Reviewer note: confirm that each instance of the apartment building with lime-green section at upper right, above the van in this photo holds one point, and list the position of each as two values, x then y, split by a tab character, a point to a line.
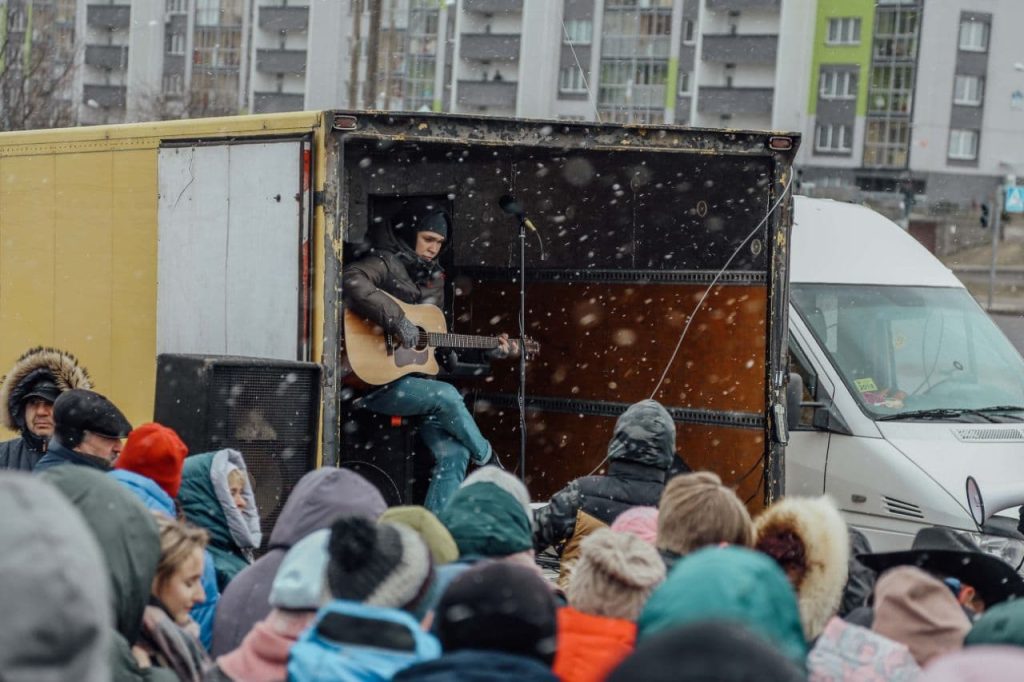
919	100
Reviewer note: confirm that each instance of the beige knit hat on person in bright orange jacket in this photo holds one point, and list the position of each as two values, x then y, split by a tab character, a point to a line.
615	576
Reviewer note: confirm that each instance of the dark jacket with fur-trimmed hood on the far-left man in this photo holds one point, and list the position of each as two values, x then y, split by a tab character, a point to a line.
51	366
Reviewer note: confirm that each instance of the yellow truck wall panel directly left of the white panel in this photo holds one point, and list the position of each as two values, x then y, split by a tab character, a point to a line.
134	313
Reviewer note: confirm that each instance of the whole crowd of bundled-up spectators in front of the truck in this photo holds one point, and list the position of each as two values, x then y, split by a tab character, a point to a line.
129	559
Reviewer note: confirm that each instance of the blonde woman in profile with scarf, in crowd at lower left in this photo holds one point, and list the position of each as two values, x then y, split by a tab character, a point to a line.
169	637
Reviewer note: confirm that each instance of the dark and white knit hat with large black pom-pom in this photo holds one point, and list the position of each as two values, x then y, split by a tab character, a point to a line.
379	565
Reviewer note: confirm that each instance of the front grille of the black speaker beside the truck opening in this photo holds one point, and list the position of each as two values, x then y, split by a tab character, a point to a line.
265	413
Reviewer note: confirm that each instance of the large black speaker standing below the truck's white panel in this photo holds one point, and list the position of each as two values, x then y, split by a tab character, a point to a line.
266	409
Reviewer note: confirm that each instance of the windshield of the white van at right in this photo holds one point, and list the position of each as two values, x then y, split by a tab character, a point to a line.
915	352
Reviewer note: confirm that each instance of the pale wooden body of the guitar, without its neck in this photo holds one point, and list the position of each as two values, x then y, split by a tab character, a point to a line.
368	353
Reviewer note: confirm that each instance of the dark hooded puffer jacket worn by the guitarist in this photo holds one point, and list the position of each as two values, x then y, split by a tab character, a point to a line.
394	268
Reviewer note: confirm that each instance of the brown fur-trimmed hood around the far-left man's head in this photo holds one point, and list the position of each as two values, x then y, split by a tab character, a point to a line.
52	364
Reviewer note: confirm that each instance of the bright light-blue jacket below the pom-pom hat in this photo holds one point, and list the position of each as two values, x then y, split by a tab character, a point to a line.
353	643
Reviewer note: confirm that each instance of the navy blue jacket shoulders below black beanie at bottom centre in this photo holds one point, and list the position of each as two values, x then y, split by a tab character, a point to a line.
478	666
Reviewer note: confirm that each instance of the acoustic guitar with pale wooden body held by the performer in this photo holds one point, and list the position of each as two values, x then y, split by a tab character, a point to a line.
378	359
